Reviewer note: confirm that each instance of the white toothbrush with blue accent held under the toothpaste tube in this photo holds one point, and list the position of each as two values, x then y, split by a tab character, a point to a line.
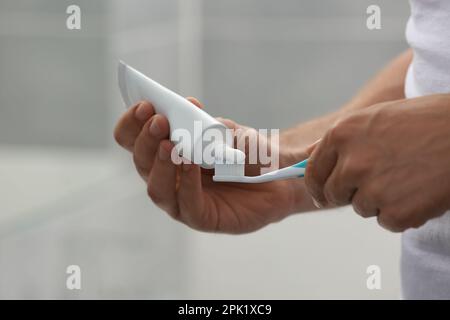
295	171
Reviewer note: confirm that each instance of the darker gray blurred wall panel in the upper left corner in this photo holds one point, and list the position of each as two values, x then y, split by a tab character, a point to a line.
52	89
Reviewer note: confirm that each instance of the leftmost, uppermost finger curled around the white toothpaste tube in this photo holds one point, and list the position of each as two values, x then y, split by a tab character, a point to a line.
130	124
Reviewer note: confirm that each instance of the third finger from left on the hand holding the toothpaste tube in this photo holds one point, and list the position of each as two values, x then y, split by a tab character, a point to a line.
161	186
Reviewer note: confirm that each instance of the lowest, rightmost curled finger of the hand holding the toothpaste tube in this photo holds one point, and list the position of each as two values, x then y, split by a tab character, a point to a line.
190	198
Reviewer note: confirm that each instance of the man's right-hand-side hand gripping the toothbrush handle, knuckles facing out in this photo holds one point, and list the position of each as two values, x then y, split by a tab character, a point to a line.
391	160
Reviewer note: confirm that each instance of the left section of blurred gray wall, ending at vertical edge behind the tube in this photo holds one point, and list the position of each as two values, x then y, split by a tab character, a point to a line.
67	196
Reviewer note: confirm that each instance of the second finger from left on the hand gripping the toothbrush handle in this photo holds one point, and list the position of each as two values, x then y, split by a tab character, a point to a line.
339	190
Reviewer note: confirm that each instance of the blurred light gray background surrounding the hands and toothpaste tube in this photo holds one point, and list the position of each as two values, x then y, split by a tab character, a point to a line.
69	195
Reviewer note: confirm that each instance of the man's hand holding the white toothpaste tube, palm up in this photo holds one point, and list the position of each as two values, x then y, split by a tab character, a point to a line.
188	194
